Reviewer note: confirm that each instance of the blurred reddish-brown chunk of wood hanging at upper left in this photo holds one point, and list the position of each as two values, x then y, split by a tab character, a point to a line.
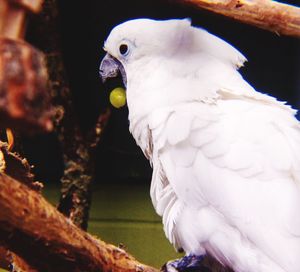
24	98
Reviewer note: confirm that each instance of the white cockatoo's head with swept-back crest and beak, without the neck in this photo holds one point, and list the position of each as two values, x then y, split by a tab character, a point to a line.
143	39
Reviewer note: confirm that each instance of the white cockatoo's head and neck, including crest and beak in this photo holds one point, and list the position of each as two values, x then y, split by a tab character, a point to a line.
163	63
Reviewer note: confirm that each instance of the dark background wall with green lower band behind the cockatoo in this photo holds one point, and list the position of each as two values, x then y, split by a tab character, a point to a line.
121	208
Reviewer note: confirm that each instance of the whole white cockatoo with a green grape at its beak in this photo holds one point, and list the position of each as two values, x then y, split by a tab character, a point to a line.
225	158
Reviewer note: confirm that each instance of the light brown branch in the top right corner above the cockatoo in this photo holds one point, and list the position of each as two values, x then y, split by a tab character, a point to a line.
279	18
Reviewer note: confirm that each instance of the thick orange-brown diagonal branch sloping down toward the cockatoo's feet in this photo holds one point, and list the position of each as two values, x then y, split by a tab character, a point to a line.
47	241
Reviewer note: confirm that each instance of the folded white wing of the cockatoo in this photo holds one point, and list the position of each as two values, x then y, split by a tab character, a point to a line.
239	156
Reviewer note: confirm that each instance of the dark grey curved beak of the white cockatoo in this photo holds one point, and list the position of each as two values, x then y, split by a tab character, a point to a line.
110	67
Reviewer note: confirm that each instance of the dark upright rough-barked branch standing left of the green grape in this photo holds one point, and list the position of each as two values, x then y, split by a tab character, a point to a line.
78	173
